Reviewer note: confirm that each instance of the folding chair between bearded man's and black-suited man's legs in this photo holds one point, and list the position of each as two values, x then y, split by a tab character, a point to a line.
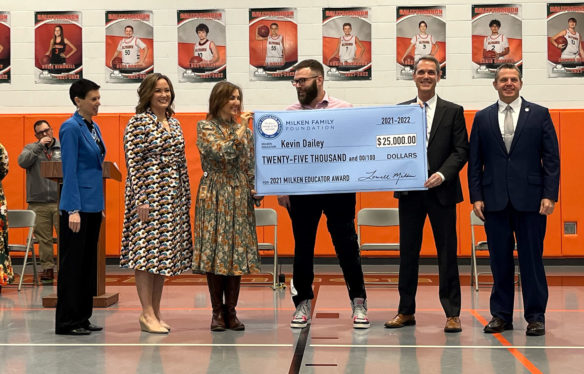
377	217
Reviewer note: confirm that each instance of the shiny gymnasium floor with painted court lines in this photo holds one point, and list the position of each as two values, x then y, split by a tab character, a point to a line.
268	345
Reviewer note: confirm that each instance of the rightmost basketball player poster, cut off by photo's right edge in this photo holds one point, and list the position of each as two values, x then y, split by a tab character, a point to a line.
565	44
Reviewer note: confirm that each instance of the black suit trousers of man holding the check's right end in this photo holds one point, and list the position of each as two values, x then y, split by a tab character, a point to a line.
413	209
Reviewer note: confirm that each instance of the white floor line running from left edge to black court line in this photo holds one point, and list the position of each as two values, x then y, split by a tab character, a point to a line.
142	345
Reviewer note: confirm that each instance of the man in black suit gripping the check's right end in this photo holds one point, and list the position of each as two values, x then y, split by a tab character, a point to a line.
447	146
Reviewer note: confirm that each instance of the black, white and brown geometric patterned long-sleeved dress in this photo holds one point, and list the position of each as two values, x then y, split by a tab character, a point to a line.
157	175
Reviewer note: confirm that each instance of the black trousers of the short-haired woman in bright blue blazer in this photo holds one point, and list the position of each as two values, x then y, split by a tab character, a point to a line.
77	281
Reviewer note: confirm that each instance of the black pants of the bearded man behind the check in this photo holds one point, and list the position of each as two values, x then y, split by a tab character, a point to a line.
339	209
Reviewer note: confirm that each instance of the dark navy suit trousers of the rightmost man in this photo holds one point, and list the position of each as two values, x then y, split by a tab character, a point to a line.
529	229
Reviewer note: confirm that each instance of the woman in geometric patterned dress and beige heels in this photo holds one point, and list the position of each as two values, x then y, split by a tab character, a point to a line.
156	238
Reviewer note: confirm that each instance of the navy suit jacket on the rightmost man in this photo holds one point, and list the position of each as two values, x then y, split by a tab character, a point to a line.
529	172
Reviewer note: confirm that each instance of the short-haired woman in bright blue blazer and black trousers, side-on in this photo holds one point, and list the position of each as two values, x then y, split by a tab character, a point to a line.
81	207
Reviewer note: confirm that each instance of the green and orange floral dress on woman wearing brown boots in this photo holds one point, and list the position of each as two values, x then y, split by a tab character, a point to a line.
225	231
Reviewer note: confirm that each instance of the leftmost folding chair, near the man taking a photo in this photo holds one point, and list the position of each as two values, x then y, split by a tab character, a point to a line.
23	219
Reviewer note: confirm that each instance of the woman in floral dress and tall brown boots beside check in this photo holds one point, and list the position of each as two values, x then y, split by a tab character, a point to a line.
225	233
